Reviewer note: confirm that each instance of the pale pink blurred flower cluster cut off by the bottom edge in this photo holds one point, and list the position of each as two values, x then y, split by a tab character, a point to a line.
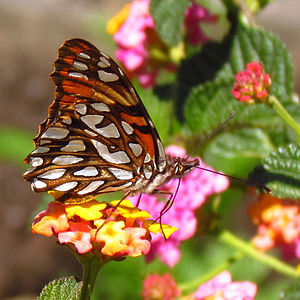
222	287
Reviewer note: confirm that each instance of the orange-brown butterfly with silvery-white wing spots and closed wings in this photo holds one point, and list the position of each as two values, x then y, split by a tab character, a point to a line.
97	137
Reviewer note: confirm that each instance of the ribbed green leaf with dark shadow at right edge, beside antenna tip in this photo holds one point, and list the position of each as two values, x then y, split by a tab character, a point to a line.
280	171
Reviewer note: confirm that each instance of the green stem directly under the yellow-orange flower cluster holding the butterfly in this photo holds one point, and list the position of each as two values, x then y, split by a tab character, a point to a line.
90	271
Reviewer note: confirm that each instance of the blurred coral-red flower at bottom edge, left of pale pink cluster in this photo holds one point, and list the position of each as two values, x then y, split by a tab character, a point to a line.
160	287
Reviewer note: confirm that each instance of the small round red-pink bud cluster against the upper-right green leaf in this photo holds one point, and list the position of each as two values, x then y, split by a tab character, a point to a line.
252	85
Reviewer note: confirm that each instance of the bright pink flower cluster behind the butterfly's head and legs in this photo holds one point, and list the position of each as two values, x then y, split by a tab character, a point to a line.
194	188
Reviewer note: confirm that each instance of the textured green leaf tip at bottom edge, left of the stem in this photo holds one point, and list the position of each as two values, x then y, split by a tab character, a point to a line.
62	289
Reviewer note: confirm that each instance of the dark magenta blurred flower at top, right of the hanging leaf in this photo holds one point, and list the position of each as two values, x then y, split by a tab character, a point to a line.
194	15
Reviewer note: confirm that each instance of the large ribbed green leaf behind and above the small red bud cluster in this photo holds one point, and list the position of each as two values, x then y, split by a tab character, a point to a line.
257	44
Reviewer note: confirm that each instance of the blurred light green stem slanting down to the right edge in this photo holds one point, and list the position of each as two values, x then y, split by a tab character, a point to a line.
268	260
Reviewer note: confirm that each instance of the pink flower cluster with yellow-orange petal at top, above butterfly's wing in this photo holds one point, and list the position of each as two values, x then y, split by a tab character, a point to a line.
133	35
